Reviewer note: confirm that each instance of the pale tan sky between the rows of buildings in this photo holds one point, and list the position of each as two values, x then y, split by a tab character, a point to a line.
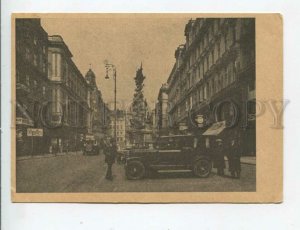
125	42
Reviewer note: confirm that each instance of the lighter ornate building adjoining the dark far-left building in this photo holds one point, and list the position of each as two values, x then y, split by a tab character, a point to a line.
70	98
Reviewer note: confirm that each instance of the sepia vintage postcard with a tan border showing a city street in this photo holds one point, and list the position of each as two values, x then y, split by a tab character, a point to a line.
147	108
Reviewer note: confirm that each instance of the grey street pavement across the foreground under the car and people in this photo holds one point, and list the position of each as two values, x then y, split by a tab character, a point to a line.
74	172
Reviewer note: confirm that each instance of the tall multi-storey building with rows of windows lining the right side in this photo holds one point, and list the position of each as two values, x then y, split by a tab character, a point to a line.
214	78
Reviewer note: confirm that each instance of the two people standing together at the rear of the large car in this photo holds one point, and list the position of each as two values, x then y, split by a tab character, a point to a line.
232	152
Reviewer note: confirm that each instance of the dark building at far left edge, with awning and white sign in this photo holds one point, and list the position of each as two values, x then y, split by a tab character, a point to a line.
31	85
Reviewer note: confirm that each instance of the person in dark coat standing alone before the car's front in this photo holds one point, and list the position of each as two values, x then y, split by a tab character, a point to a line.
109	150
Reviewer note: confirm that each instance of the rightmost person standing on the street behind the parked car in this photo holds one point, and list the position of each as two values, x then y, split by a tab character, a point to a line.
234	159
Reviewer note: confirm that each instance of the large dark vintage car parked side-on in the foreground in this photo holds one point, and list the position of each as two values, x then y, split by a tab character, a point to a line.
176	152
